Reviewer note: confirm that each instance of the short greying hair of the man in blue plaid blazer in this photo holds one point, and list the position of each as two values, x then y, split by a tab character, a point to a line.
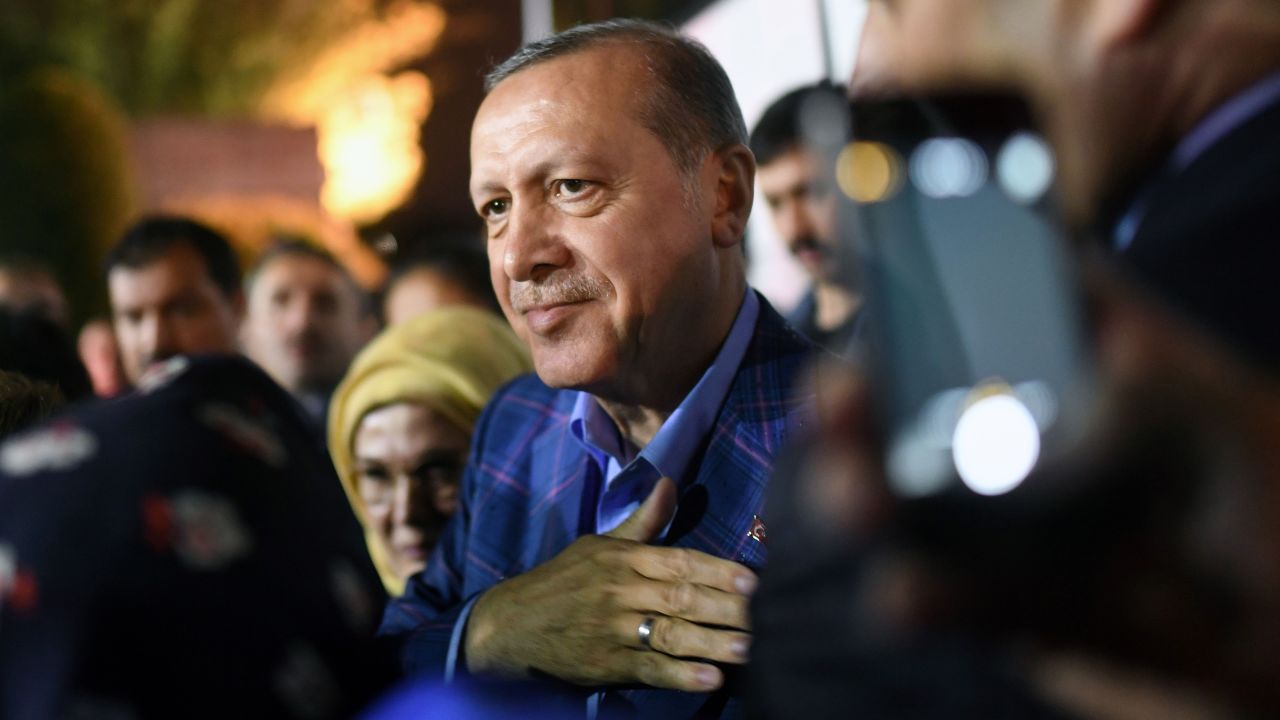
692	110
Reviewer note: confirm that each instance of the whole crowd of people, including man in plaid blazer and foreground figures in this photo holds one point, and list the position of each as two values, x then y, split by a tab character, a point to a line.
592	472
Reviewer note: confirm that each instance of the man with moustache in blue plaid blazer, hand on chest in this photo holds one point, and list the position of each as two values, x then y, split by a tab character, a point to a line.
611	516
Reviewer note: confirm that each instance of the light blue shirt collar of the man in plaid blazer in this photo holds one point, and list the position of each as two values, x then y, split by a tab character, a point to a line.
671	452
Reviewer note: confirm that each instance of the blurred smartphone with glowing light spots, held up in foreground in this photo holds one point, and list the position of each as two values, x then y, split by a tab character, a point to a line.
981	364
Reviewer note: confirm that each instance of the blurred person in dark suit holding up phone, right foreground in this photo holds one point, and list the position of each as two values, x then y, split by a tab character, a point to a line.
1154	589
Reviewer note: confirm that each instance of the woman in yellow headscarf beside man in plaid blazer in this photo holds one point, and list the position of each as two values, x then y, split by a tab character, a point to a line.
400	427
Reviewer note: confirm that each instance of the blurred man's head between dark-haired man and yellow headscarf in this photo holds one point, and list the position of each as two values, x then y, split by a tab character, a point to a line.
307	321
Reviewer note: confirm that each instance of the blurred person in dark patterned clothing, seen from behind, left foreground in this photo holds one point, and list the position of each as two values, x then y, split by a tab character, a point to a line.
184	553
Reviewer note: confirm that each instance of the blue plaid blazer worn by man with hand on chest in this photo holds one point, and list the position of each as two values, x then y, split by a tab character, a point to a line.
523	500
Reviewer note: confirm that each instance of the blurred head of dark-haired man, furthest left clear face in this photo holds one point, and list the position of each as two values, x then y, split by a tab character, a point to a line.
176	289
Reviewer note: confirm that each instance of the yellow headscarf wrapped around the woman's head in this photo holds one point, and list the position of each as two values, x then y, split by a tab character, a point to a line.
450	359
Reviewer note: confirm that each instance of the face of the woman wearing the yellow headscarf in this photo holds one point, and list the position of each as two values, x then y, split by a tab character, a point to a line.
409	464
